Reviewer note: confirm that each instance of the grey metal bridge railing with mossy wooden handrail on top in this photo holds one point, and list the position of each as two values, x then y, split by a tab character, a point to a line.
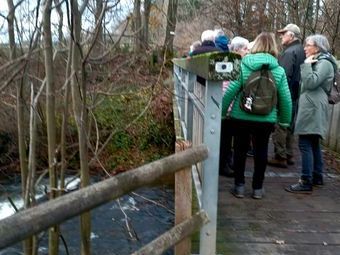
198	95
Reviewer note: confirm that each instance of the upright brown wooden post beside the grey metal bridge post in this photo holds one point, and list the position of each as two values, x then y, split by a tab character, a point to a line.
183	199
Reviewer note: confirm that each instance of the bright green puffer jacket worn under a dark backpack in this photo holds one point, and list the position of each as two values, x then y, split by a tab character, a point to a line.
249	64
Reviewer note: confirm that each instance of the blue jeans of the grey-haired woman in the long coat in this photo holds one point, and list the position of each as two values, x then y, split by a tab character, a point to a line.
311	155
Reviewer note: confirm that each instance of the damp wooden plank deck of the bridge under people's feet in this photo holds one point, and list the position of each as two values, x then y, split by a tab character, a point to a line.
282	222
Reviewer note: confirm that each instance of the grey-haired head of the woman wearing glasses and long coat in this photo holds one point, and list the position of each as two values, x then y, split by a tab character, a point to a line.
315	44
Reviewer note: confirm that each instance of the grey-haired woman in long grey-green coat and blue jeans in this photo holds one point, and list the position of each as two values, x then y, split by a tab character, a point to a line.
317	75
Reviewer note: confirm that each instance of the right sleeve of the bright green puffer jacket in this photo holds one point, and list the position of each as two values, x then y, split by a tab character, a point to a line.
284	103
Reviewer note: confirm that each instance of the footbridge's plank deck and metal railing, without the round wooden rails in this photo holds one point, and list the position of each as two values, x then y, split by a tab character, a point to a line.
280	223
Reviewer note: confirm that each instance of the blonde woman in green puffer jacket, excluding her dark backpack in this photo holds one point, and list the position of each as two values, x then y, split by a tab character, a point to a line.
264	52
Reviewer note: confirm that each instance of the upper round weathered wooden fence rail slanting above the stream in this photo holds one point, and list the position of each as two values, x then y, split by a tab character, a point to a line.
34	220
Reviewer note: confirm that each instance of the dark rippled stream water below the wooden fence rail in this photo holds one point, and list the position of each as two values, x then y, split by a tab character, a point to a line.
119	227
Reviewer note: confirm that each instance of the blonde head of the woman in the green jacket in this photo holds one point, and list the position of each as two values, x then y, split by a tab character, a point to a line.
265	43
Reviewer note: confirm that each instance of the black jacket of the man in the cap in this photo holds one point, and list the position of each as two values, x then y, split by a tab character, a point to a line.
290	59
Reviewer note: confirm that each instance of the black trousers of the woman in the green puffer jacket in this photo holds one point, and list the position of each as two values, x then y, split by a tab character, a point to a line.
259	132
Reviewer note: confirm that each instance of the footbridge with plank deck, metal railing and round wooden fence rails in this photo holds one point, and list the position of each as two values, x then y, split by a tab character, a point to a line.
280	223
